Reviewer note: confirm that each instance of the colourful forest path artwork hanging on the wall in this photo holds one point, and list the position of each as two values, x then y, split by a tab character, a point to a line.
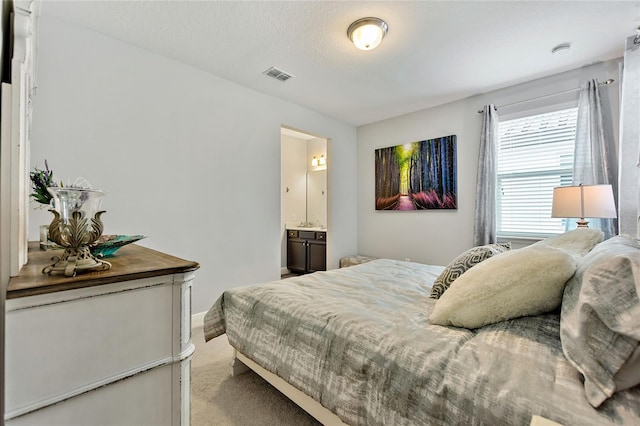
417	175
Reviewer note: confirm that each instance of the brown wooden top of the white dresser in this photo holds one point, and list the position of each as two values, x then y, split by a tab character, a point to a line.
131	262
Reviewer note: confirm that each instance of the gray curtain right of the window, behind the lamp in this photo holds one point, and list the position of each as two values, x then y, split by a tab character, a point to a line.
595	159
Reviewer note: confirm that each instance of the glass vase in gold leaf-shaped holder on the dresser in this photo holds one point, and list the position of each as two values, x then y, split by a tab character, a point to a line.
71	229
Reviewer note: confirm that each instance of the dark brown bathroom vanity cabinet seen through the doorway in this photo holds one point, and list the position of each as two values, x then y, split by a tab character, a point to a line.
306	251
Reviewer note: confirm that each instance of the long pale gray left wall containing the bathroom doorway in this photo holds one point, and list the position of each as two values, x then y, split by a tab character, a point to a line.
188	159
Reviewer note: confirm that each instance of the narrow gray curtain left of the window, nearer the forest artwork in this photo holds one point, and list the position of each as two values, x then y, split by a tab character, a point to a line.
484	226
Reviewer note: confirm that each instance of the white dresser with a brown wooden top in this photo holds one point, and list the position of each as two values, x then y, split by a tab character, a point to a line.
102	348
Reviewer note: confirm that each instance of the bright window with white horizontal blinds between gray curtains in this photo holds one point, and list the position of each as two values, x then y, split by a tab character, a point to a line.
535	154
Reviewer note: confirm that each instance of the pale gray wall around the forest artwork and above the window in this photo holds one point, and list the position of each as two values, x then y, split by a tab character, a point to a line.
436	237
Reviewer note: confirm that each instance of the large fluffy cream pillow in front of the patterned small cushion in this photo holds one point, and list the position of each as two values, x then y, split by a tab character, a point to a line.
527	281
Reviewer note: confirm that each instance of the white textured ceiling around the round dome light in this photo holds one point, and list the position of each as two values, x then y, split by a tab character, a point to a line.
435	51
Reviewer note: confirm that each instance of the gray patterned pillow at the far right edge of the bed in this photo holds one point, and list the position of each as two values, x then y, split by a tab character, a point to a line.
600	317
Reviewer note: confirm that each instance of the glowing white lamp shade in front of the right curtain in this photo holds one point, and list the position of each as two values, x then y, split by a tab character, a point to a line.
594	201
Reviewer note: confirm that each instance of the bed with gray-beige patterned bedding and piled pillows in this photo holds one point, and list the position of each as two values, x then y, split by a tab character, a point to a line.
359	346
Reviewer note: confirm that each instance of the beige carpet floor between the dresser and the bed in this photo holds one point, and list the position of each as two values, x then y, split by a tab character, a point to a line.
219	399
